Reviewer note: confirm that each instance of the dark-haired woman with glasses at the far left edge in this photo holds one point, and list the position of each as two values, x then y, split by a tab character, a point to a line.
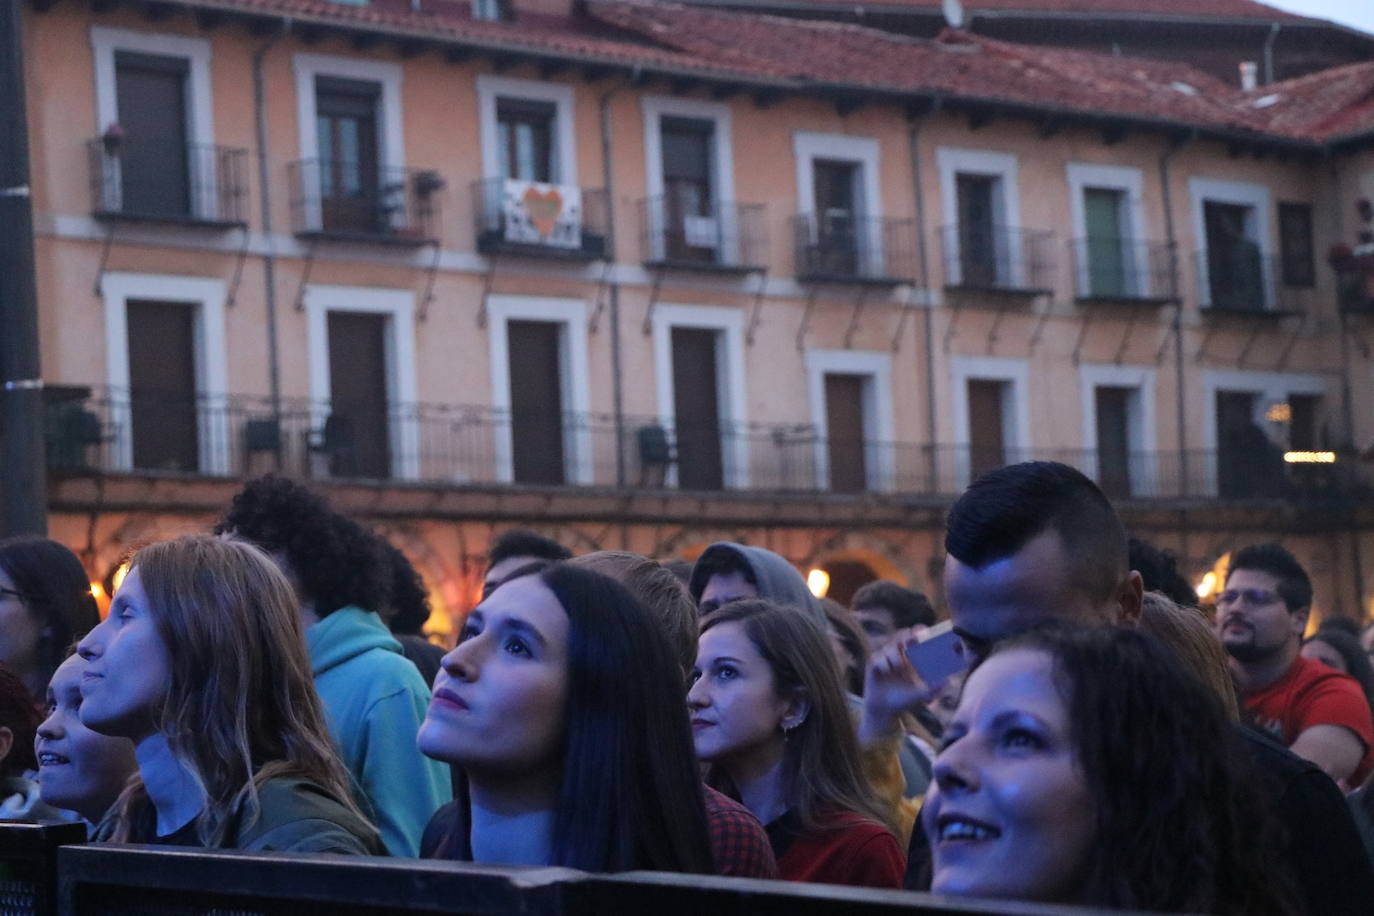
46	606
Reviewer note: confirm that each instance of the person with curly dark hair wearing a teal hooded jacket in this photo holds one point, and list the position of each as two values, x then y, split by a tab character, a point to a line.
374	698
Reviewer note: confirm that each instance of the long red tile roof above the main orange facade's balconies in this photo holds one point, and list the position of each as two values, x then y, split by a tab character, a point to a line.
820	57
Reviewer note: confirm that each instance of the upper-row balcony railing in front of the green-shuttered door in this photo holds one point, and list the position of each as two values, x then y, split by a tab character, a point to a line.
1123	271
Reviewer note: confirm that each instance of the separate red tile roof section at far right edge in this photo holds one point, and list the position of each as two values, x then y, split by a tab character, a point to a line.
1324	106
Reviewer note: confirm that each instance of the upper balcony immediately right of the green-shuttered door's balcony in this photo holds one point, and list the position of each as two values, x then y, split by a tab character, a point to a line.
1241	281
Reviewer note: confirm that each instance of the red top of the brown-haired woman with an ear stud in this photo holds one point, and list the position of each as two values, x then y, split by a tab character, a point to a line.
854	852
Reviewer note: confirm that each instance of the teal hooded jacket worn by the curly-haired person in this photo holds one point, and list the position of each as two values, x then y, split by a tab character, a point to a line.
376	701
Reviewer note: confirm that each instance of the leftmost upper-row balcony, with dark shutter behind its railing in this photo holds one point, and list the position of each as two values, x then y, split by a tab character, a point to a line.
189	185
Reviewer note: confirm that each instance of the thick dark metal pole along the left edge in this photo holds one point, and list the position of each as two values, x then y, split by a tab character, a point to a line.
23	476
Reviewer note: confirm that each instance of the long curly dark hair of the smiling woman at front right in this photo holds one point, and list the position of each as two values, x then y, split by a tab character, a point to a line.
1181	826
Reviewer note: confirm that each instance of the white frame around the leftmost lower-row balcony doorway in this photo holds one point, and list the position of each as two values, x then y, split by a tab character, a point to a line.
205	297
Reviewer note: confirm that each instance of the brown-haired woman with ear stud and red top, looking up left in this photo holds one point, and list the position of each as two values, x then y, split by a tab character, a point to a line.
770	719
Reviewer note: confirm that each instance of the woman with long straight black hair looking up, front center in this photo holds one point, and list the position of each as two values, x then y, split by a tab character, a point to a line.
563	707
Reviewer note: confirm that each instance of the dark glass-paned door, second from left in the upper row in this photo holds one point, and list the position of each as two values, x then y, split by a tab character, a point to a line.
346	113
